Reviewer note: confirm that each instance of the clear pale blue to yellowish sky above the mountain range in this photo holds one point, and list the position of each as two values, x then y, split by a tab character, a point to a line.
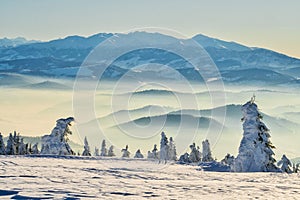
273	24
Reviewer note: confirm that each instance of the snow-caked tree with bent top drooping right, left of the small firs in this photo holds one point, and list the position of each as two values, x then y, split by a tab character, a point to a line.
57	142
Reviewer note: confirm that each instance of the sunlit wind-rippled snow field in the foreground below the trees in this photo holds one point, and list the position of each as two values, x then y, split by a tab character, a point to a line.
107	178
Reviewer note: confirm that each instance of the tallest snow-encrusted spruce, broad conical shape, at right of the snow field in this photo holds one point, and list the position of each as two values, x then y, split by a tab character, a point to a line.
255	151
